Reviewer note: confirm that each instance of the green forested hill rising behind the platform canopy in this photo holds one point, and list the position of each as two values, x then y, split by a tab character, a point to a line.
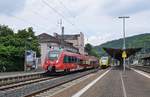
142	40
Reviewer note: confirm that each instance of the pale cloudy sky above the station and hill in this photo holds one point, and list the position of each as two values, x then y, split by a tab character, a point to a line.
97	19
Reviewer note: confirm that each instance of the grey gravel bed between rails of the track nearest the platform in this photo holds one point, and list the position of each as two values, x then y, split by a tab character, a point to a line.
43	85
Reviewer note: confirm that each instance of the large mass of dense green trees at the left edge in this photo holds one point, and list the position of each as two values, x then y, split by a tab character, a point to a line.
13	46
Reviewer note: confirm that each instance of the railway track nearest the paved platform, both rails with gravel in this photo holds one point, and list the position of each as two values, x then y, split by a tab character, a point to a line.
31	88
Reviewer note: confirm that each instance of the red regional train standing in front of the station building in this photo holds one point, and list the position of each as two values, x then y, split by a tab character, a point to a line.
61	60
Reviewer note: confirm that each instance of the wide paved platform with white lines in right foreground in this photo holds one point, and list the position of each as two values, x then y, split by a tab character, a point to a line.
110	83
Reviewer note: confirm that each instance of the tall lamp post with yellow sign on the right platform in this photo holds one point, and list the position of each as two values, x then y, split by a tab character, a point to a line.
124	43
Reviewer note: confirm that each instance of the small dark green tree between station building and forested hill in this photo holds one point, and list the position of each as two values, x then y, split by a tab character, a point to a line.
91	51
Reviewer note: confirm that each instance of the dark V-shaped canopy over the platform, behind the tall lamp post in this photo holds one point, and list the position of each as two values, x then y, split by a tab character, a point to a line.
117	53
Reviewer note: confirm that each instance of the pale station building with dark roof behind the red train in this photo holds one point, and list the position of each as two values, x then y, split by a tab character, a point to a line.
73	43
